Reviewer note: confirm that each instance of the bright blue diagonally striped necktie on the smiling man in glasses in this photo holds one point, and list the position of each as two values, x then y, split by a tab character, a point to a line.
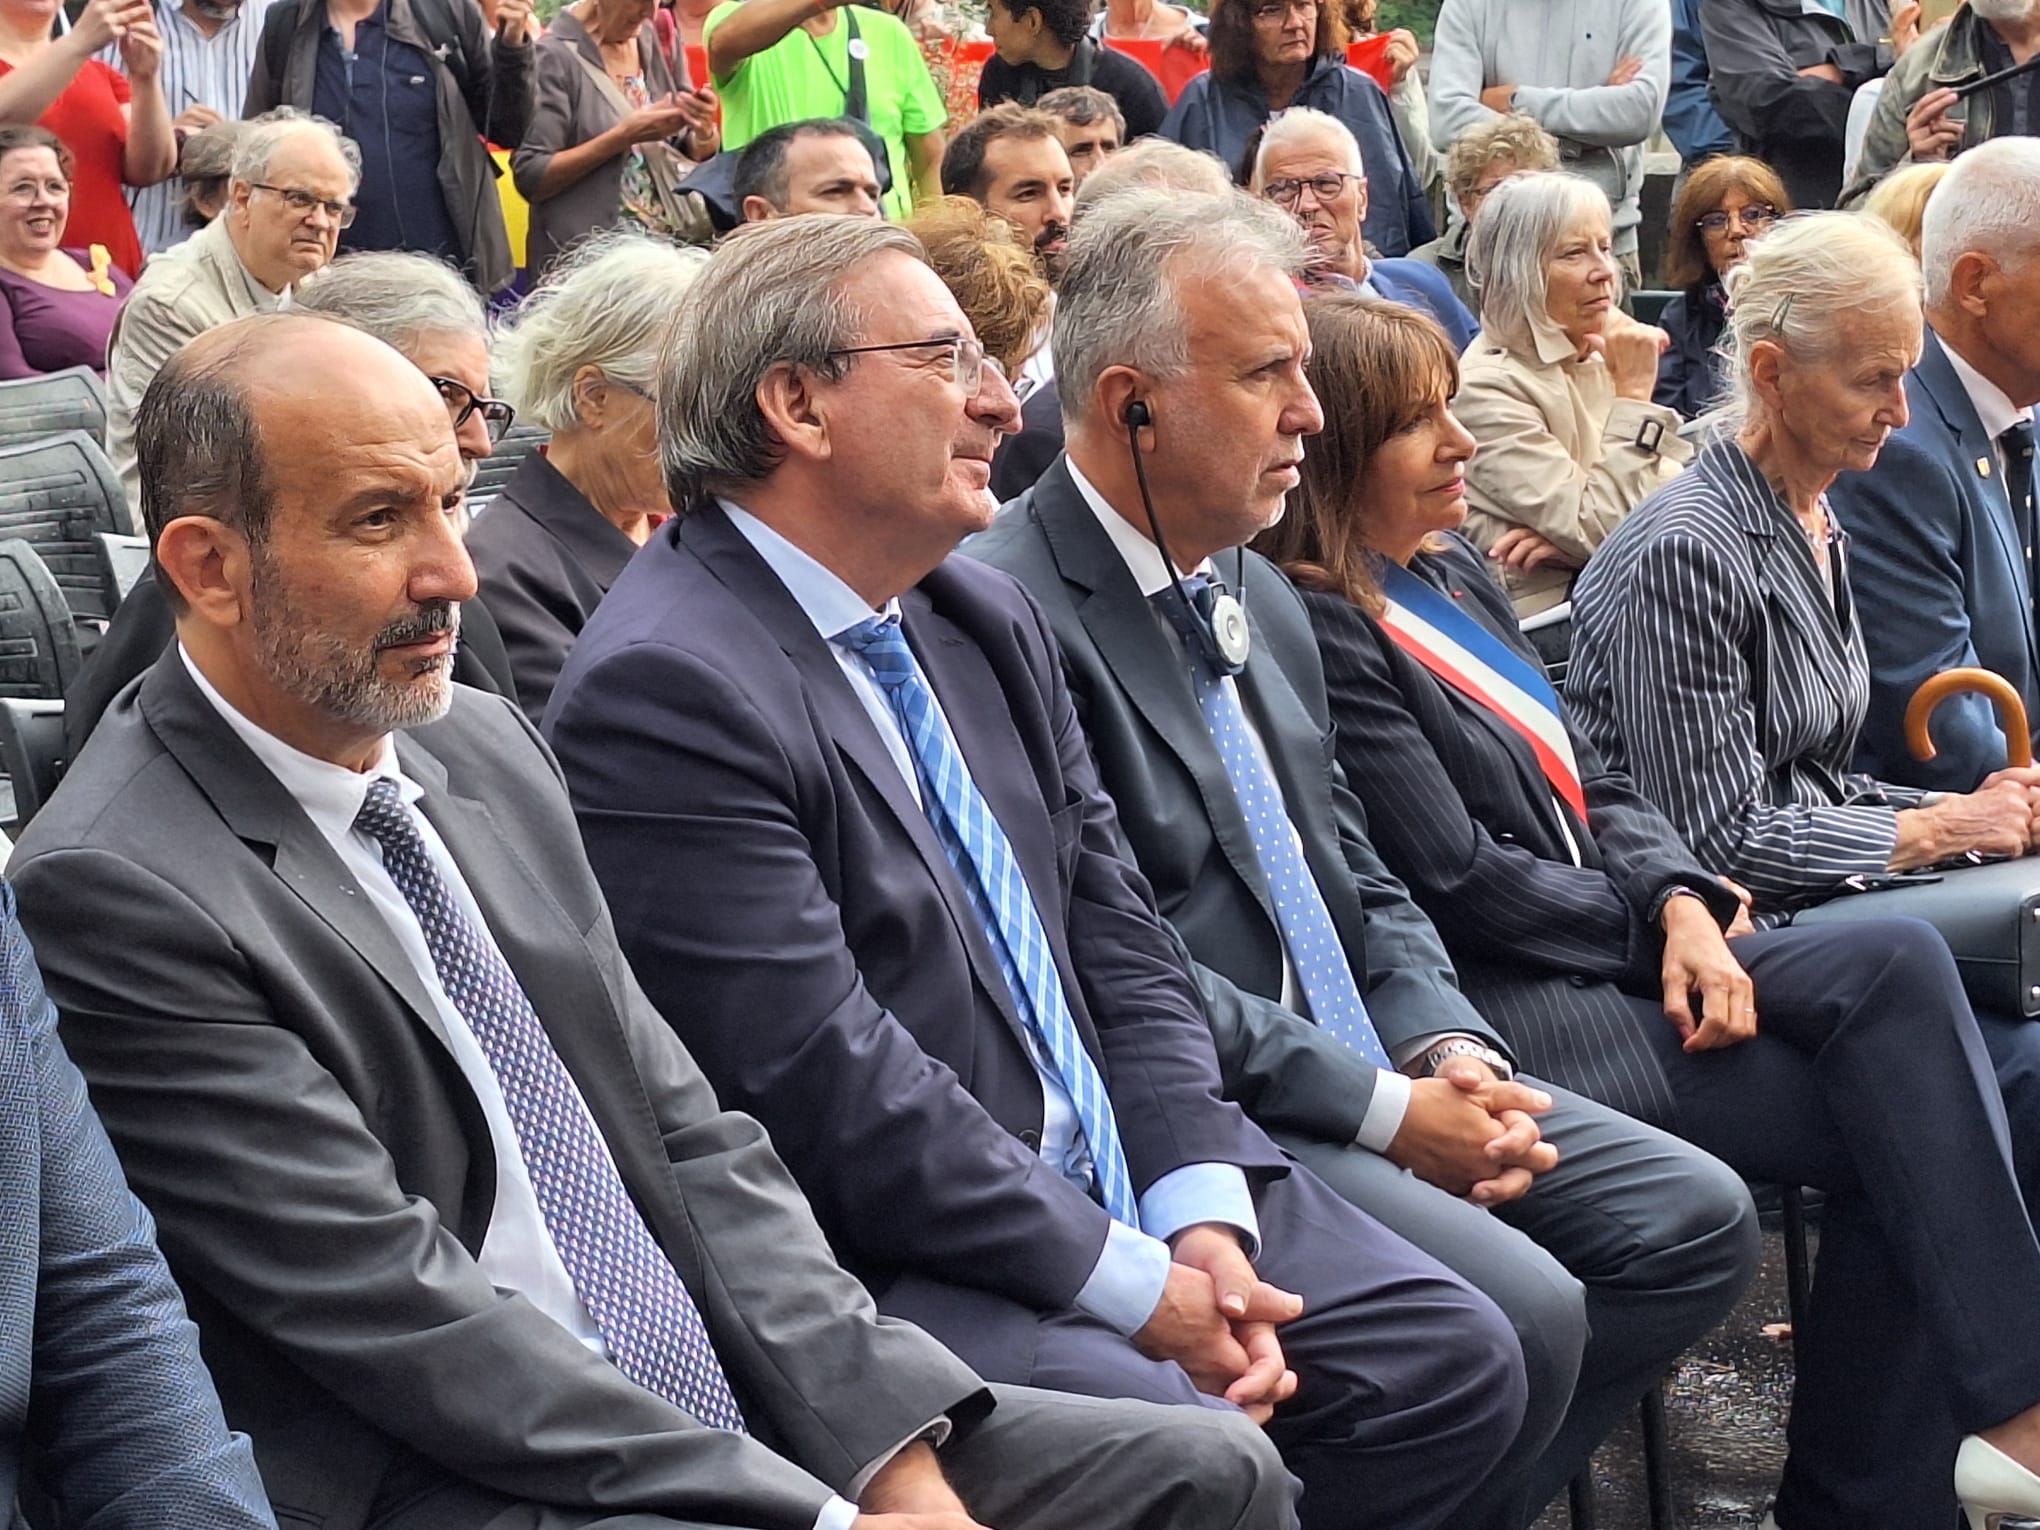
999	895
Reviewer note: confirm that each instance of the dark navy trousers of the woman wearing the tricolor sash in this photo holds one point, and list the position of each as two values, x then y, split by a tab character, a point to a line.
1870	1080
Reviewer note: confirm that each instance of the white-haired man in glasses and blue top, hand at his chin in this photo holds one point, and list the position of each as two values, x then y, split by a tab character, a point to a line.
1311	168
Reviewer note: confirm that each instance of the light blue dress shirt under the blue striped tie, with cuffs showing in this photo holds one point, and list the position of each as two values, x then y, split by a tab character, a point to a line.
1133	1268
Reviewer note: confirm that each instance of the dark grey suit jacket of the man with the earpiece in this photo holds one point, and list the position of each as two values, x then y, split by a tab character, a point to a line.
1186	829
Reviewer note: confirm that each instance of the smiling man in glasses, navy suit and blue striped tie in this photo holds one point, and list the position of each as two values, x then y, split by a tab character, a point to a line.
856	848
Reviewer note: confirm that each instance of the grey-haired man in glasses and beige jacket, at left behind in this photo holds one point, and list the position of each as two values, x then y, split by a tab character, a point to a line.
293	191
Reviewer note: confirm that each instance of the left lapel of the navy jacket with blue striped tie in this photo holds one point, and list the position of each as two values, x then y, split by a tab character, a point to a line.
848	725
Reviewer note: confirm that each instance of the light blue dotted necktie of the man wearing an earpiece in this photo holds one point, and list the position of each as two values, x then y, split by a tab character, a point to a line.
1307	923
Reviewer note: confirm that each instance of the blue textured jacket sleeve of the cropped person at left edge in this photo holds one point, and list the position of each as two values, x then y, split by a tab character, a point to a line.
103	1396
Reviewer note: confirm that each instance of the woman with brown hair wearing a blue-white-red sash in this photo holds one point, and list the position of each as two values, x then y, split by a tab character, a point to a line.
1621	968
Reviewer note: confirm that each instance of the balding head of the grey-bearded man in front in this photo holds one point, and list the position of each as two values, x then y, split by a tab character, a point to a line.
303	489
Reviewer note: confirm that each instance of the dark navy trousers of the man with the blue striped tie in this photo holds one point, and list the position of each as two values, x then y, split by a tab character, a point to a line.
1411	1384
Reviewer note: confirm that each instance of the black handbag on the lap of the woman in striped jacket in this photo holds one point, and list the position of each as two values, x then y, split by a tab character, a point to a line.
1990	915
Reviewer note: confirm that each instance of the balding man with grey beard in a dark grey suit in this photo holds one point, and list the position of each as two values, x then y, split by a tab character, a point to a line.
468	1237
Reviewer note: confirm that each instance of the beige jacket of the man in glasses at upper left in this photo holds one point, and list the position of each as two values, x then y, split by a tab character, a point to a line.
185	291
